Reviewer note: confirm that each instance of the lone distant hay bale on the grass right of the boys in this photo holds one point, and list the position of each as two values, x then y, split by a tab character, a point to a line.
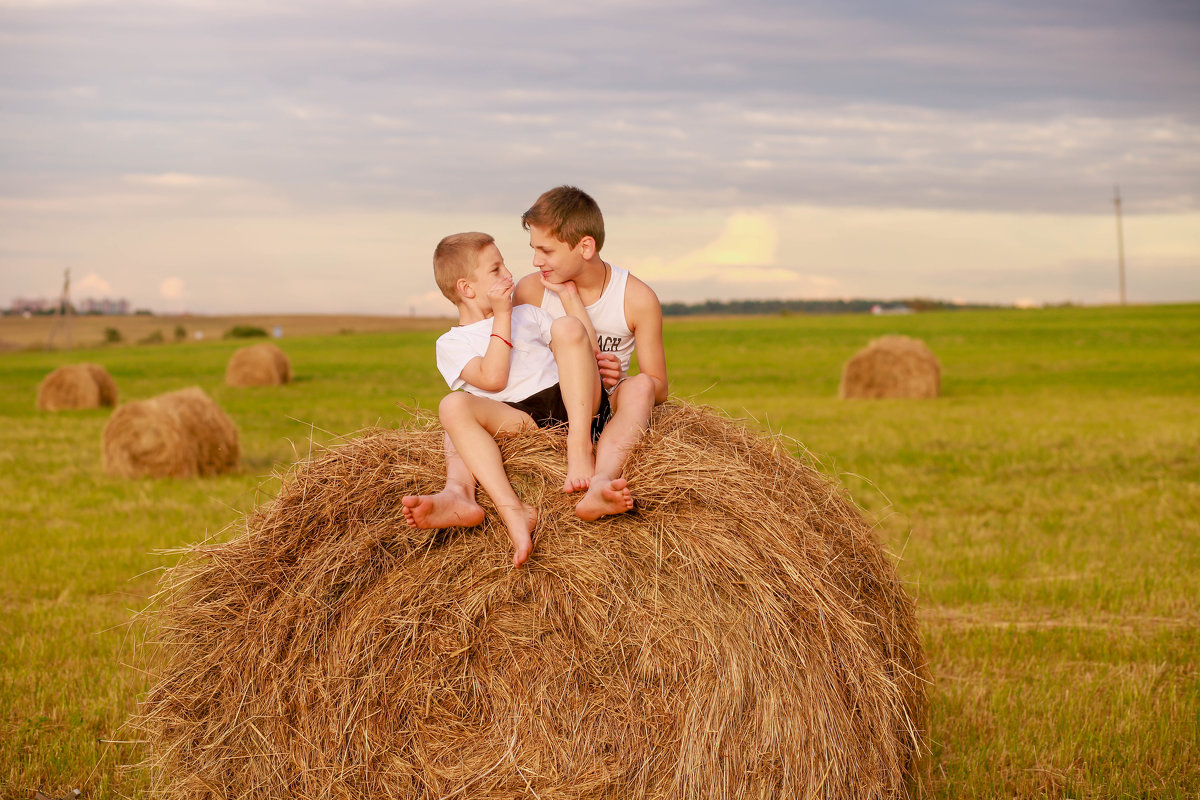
892	366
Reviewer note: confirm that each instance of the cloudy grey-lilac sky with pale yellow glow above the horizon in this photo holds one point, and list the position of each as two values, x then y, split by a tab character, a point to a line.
301	157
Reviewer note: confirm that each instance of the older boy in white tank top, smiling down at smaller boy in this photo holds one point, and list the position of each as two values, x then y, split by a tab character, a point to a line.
567	233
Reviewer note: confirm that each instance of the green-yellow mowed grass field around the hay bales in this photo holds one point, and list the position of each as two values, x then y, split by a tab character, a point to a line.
1046	513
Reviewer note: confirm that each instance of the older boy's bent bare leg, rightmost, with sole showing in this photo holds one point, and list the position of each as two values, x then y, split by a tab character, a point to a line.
608	492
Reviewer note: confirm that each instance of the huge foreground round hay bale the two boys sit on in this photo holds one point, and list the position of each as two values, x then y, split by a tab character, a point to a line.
739	635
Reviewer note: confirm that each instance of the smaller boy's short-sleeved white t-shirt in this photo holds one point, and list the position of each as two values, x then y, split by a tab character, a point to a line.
532	363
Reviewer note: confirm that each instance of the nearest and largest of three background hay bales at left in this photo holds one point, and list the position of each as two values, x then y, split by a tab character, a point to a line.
178	435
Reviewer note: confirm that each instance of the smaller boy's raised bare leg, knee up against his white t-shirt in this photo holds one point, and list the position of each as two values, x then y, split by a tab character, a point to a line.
579	380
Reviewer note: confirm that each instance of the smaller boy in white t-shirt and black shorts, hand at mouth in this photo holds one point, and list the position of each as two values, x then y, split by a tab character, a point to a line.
520	368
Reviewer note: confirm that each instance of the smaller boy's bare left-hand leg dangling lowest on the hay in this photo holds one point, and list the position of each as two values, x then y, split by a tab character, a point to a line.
472	424
